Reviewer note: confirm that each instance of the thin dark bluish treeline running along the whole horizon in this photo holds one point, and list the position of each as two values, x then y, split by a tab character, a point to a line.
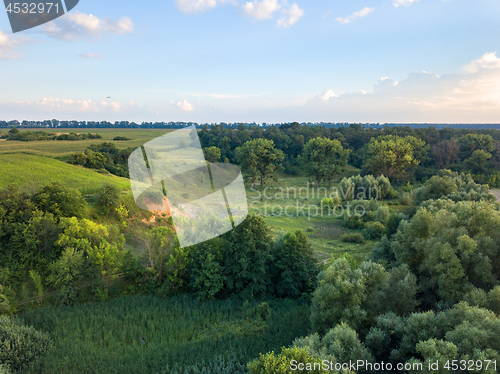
176	125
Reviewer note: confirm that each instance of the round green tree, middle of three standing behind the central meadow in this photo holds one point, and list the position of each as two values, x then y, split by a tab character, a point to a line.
325	158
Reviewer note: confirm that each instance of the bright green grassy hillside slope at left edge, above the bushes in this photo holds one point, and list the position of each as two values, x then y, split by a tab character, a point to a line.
36	171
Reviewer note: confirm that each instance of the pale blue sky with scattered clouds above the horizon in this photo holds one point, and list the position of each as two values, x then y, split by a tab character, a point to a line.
273	61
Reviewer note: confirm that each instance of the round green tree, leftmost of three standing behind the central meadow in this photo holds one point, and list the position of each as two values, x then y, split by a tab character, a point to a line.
259	157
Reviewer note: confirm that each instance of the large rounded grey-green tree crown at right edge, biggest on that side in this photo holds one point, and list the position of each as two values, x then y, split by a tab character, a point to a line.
451	247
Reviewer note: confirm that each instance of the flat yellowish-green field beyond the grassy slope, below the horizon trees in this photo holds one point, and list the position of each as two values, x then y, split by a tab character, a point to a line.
58	148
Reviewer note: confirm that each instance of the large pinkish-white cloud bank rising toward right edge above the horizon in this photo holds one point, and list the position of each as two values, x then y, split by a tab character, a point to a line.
470	96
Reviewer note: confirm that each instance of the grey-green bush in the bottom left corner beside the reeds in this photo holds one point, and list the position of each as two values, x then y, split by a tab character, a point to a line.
21	345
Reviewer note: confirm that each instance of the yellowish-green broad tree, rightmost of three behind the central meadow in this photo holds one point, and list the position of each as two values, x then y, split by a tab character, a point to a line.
392	155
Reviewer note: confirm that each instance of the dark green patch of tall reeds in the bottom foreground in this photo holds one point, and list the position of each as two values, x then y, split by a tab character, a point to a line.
143	334
